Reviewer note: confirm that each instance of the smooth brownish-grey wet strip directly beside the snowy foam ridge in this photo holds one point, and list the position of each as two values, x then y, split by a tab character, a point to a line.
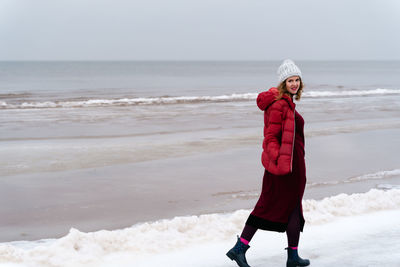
47	205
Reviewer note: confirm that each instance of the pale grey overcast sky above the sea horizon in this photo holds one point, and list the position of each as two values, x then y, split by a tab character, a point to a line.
199	29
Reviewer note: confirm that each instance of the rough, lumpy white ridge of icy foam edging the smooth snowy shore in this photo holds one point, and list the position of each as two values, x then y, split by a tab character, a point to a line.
79	248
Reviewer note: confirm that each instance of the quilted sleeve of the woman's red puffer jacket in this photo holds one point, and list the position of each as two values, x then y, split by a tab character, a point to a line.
273	133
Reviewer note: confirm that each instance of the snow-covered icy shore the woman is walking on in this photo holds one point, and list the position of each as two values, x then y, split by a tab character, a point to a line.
351	230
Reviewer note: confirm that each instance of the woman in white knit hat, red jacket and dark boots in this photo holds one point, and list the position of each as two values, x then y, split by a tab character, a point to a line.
279	207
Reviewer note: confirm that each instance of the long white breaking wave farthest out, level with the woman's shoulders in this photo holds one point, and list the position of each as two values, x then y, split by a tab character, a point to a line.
182	99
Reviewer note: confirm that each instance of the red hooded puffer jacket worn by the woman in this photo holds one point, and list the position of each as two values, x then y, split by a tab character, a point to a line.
279	131
